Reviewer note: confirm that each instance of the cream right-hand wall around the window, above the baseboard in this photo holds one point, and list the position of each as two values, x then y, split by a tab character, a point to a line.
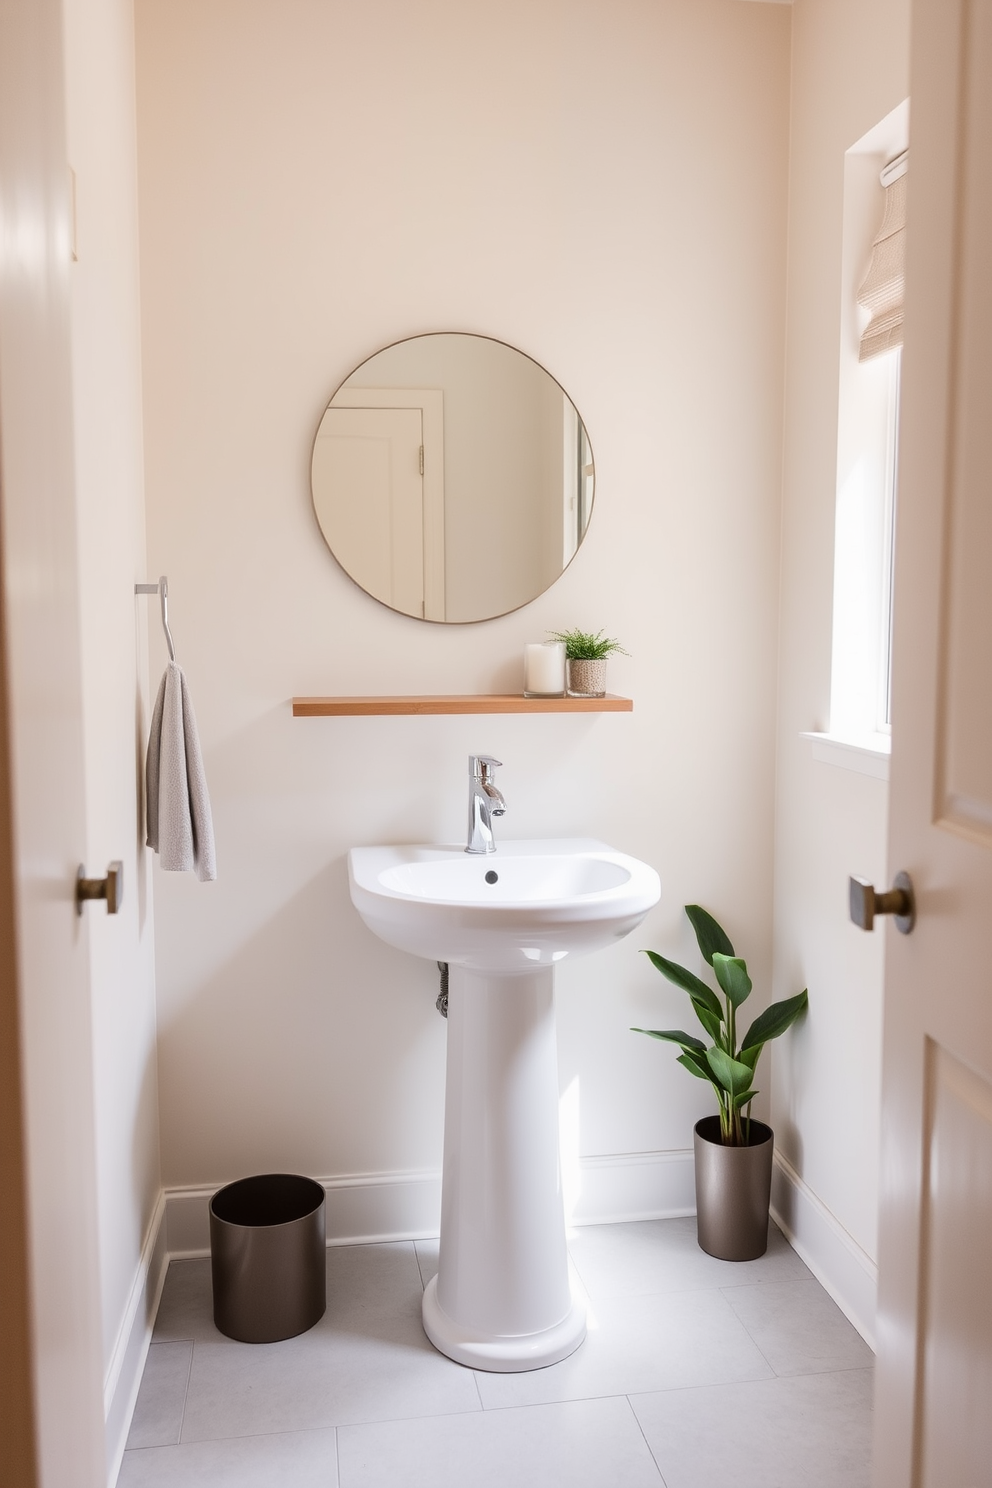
850	69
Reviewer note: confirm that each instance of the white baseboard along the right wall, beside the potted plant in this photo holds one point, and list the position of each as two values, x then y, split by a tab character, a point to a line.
834	1257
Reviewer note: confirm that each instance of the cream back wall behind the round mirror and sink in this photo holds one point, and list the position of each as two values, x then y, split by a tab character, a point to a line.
603	187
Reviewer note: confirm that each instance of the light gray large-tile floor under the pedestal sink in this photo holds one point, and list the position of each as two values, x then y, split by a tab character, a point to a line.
686	1359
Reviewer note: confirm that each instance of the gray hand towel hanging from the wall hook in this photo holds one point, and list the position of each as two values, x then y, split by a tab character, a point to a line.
181	825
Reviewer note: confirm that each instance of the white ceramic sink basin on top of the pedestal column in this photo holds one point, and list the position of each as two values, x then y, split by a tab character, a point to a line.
524	907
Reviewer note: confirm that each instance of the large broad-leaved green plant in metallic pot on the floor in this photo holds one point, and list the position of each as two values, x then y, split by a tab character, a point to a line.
732	1152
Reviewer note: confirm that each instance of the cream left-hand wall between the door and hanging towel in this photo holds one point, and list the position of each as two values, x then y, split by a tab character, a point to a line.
111	516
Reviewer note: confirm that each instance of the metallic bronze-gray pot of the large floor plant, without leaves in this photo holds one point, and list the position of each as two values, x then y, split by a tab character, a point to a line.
734	1188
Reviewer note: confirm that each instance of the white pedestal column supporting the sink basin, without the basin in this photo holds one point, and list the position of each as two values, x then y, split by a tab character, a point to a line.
502	1298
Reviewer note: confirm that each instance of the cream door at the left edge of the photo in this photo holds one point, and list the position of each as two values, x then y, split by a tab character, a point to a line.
41	638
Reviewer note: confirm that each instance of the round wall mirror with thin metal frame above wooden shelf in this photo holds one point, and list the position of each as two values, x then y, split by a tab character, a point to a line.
453	478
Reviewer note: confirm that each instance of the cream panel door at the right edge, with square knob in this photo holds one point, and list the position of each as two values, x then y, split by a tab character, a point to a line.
935	1330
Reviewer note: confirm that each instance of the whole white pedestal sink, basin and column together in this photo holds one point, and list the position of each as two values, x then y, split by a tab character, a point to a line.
502	1298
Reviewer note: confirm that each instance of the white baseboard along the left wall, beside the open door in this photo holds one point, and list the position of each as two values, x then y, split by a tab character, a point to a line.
130	1352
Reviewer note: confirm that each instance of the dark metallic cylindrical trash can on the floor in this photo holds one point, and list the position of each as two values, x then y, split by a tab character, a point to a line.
267	1257
